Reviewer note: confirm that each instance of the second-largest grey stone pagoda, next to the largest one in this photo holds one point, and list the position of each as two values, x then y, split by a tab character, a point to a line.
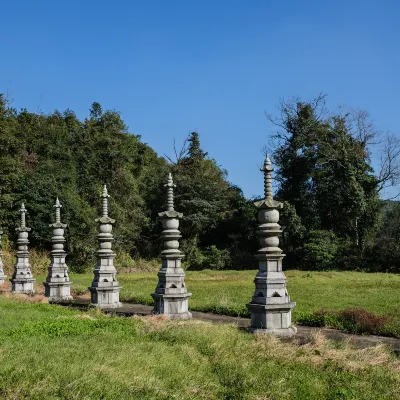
171	295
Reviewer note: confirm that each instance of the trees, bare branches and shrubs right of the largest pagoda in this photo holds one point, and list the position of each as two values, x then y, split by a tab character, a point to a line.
333	215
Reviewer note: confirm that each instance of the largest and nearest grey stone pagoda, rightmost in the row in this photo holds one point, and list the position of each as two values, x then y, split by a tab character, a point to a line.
270	307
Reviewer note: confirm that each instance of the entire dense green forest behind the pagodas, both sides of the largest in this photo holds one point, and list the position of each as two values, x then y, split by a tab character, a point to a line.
333	216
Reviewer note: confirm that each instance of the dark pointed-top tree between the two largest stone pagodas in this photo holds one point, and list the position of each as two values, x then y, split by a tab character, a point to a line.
217	218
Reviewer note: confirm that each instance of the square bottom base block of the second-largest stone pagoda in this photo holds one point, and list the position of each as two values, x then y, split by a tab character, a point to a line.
174	306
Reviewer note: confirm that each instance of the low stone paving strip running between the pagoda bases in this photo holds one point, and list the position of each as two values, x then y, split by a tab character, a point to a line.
303	332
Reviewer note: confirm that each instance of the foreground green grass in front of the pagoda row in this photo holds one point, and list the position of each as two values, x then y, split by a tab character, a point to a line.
53	352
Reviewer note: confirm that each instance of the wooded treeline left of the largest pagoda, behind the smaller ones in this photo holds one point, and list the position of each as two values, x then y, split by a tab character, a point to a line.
44	156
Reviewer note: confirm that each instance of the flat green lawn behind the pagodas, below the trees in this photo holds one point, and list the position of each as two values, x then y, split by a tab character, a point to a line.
227	292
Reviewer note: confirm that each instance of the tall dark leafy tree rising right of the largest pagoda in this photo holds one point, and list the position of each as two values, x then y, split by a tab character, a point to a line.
324	170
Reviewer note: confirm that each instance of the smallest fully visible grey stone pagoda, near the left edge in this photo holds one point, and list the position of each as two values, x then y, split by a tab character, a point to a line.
22	280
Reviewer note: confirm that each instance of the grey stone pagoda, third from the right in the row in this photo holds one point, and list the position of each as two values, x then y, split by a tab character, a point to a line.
105	288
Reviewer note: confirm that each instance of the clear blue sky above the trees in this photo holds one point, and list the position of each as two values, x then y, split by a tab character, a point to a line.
174	66
